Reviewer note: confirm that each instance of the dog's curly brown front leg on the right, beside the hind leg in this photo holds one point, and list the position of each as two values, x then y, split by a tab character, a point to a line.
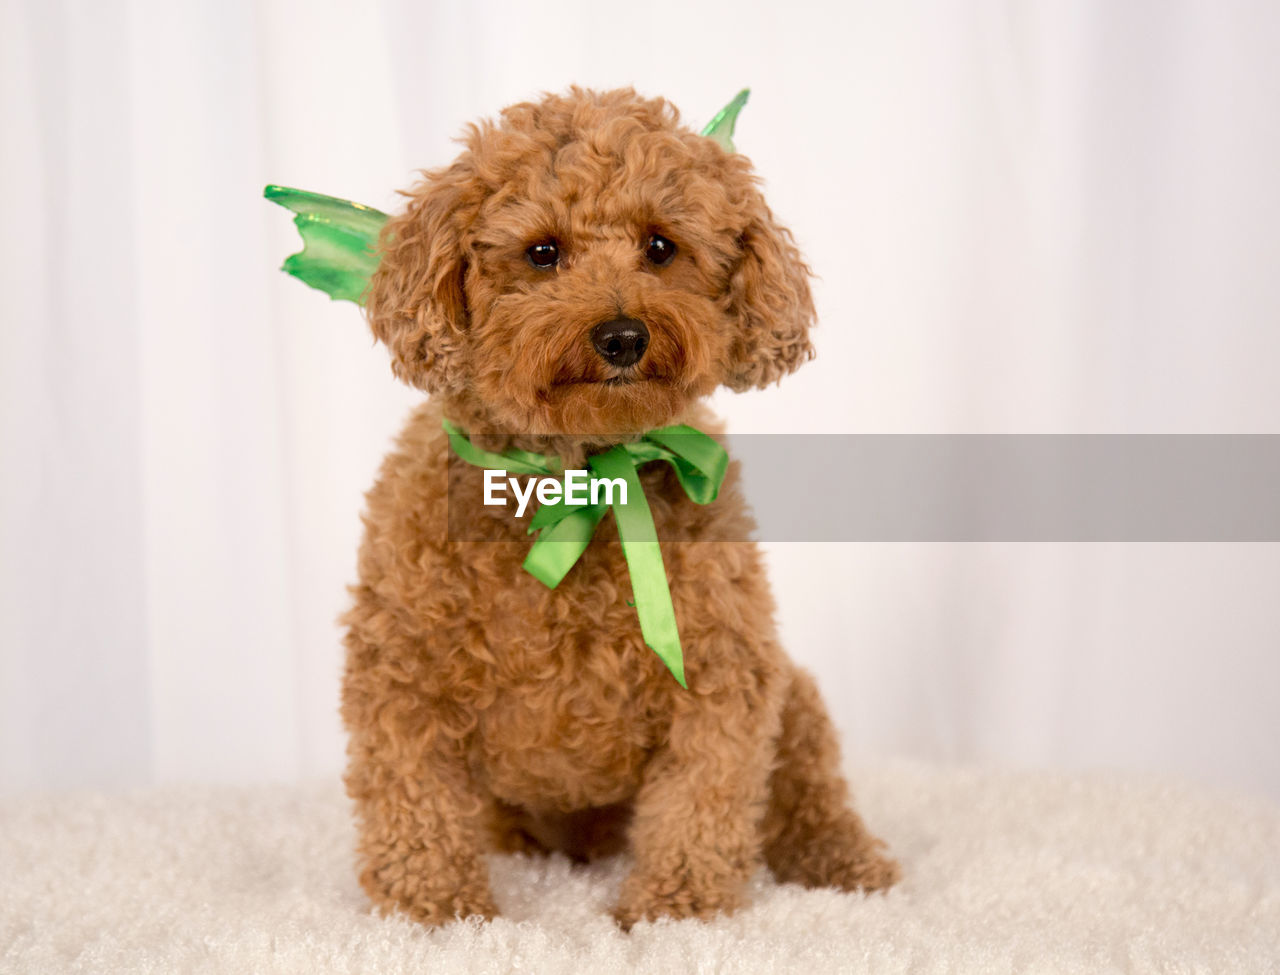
696	835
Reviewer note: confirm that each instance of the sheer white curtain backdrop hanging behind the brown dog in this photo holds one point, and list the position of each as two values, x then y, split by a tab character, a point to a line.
1027	218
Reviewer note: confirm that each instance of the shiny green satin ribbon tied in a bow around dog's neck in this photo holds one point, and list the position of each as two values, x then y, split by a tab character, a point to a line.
565	530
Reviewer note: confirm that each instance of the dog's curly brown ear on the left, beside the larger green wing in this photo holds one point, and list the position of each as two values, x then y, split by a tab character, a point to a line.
417	304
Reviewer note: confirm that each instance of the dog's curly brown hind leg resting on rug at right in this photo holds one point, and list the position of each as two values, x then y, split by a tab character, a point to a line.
812	835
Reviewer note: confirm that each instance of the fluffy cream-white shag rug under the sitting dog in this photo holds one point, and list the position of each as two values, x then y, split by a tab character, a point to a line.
1004	873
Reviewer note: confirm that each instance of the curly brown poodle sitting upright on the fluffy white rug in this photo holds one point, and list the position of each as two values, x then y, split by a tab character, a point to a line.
587	271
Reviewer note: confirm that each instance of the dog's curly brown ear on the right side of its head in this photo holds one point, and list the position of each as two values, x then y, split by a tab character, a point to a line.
770	296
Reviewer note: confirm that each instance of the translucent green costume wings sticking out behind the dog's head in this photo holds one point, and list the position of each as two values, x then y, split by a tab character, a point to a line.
340	239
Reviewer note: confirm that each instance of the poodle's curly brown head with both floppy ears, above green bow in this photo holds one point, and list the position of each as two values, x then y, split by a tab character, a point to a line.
589	267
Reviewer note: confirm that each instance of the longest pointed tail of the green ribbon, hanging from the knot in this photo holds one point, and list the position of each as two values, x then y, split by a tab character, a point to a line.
644	562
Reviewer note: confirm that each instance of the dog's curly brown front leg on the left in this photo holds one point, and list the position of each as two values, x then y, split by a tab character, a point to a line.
420	825
